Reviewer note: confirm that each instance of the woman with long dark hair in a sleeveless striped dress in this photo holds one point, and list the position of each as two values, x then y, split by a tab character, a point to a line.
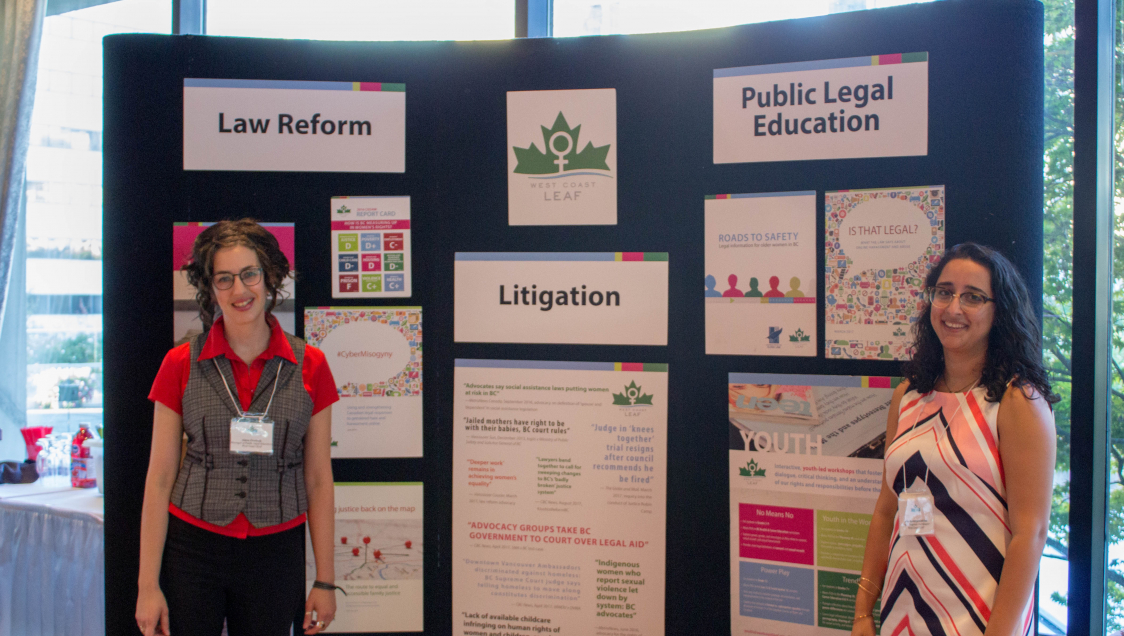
960	524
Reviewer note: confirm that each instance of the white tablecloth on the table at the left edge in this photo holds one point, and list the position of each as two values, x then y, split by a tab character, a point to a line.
52	562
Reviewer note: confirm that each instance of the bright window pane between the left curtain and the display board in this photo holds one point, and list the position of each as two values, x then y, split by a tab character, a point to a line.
65	342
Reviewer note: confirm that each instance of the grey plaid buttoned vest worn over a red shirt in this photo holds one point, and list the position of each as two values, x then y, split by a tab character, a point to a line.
214	484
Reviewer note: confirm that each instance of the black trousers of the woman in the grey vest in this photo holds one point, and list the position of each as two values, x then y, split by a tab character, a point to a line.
257	584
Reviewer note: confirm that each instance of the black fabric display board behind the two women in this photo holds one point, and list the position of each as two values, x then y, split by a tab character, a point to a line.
985	147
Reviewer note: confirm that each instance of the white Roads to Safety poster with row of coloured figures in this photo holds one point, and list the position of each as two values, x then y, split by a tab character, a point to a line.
760	284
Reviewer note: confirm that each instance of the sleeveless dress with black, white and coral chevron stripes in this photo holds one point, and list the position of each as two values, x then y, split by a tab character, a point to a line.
946	584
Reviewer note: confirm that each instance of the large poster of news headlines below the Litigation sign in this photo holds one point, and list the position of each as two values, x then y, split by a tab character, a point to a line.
559	497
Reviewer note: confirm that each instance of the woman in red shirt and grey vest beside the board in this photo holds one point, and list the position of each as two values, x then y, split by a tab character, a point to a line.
223	529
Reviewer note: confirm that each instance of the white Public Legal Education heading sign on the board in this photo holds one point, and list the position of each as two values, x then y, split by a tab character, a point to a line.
856	107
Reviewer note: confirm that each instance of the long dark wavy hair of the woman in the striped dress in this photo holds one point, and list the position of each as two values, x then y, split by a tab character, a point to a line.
1014	350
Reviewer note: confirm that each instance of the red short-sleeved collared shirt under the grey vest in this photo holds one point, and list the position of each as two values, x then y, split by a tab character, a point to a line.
173	380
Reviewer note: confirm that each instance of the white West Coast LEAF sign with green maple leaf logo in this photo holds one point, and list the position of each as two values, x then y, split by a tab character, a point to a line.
563	158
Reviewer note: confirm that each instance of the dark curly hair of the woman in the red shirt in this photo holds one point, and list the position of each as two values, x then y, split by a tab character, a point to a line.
229	234
